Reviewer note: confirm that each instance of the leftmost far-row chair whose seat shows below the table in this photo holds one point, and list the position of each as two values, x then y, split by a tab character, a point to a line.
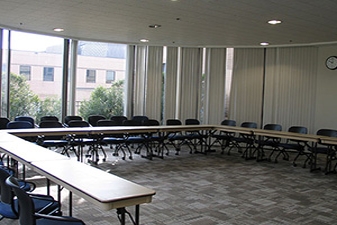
53	141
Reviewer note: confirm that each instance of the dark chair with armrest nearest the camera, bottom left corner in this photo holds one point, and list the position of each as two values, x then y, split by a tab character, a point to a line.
27	206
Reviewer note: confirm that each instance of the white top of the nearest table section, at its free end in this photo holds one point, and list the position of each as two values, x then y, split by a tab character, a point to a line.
94	185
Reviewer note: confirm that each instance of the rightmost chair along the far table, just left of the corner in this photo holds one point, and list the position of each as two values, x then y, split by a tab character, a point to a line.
195	137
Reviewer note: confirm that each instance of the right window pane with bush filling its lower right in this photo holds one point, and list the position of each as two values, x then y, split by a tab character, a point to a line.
99	79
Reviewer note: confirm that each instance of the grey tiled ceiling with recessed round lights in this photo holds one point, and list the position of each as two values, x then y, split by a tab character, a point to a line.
206	23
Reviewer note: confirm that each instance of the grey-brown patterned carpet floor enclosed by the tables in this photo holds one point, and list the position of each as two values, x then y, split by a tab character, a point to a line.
211	189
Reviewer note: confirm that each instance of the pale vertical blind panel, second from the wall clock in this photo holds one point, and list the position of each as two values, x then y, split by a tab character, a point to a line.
247	86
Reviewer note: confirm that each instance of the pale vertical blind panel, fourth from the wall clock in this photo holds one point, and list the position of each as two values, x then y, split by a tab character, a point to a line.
190	83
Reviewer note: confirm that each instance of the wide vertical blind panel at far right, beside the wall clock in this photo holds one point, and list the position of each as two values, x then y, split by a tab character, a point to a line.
290	86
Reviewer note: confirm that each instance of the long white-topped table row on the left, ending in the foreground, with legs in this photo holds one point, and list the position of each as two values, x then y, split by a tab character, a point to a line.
103	189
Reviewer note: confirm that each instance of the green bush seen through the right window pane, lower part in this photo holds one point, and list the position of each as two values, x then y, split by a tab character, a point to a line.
104	101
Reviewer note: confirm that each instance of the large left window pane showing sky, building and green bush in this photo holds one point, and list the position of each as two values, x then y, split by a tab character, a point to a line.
36	75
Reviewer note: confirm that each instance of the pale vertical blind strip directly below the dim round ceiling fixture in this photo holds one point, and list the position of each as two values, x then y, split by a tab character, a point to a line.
154	80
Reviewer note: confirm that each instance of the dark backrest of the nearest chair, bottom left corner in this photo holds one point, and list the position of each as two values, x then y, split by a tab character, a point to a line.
26	212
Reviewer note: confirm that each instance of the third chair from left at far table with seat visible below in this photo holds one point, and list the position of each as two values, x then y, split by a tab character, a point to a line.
116	140
